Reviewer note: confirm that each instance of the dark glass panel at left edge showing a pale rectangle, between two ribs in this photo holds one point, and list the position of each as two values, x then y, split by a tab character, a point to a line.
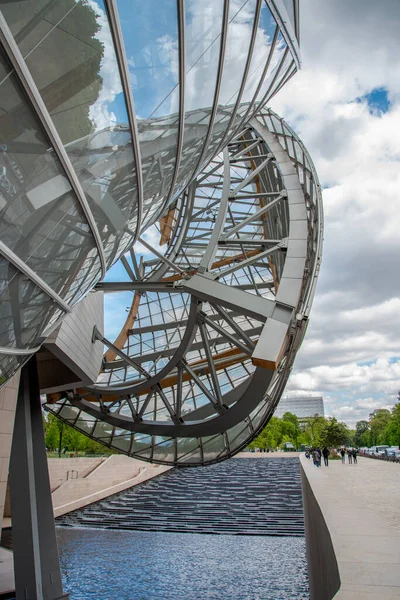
40	218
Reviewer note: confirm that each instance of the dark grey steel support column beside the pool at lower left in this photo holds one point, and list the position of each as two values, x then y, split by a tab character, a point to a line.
36	562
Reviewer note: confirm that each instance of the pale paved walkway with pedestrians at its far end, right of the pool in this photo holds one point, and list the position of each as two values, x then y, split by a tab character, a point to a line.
361	510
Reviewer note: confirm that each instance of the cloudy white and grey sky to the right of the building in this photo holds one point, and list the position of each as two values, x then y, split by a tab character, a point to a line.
348	51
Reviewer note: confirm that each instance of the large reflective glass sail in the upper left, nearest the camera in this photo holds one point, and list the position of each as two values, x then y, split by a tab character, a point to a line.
72	203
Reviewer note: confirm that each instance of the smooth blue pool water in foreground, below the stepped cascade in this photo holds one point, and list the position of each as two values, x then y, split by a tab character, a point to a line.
137	565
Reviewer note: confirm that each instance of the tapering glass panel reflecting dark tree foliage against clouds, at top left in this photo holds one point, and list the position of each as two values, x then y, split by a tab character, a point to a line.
82	90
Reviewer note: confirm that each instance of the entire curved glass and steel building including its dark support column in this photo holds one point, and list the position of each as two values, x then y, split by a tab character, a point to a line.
135	139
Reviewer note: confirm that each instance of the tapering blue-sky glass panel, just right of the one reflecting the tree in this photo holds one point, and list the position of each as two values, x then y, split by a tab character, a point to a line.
150	31
